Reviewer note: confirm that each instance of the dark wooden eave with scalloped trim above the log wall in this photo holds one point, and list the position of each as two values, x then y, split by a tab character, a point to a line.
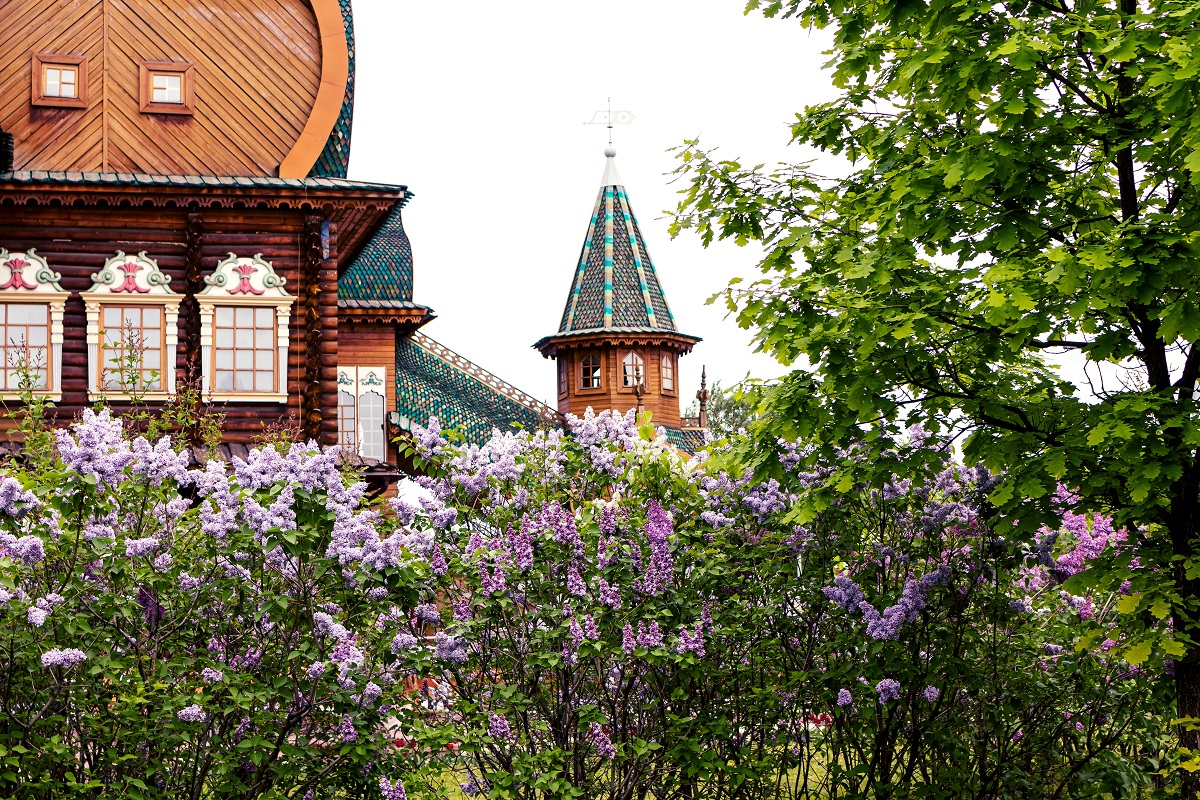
356	210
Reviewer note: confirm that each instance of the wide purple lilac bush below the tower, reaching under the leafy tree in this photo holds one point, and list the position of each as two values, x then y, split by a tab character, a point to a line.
620	621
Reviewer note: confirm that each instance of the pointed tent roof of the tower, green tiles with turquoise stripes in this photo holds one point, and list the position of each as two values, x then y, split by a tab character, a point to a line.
616	287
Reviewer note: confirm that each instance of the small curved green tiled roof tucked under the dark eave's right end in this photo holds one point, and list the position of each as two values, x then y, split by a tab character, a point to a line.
382	274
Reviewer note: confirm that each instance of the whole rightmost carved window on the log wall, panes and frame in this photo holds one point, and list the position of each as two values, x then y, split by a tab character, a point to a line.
244	332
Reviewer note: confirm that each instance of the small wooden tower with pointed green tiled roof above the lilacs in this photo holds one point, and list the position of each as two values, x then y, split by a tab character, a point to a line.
617	346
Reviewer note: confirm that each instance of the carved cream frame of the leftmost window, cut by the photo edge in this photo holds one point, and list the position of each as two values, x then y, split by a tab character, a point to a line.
27	279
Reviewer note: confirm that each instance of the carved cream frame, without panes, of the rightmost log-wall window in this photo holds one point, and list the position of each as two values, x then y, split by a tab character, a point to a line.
245	282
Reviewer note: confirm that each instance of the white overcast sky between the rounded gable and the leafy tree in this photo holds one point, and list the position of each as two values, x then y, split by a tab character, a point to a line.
479	107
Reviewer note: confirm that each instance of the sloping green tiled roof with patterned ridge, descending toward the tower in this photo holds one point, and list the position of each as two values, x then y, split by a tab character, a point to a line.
434	381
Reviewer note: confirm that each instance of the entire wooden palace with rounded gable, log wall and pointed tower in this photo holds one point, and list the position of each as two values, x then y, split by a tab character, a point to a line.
173	183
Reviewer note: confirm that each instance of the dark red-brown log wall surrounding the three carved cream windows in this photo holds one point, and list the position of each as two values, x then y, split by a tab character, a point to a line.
76	242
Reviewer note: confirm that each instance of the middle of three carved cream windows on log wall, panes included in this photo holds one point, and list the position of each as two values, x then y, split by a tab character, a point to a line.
133	330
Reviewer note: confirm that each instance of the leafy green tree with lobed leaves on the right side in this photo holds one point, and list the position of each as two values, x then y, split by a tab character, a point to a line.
1011	256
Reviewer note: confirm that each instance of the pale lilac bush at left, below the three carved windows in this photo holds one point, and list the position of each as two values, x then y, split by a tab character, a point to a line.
182	634
